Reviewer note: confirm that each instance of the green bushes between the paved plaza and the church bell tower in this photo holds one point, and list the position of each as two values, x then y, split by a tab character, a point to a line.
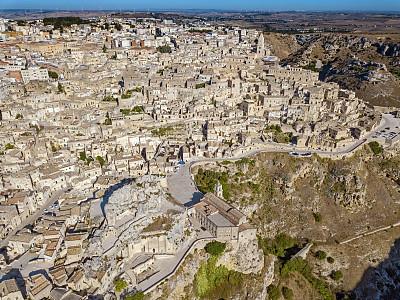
206	181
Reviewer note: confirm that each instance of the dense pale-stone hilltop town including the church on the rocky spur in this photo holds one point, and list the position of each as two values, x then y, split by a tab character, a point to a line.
100	122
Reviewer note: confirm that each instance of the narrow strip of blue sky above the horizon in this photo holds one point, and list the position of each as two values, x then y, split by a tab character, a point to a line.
382	5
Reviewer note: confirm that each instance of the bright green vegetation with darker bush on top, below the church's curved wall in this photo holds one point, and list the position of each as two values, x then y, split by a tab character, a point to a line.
212	279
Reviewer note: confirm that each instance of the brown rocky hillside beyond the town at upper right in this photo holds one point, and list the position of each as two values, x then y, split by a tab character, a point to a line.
369	65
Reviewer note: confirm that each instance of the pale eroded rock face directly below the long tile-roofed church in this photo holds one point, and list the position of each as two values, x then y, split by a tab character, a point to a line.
244	257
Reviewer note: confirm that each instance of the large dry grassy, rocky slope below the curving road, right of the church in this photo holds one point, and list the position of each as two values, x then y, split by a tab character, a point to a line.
292	201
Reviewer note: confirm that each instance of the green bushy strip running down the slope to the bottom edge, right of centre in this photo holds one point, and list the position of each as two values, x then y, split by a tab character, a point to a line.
301	266
